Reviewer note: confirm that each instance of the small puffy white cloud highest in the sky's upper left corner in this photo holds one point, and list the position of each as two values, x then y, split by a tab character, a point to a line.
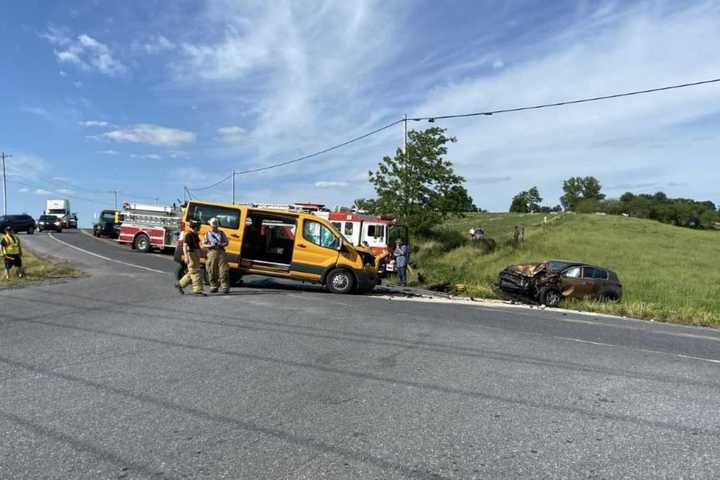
85	52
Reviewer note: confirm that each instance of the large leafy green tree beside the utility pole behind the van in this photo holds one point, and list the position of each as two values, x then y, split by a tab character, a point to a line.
420	188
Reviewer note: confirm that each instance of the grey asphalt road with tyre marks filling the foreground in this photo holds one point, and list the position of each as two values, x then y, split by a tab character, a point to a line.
114	375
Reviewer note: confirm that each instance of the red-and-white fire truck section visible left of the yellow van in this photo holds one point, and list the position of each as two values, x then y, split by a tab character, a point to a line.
148	227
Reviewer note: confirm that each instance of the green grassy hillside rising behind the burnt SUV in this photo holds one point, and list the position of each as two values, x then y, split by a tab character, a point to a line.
668	273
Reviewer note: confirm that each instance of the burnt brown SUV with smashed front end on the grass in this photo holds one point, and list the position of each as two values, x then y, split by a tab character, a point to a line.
551	281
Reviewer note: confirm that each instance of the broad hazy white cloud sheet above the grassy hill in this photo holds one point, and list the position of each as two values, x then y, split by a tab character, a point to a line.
614	140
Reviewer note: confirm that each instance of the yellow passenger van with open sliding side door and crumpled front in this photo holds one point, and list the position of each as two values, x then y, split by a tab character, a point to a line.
285	244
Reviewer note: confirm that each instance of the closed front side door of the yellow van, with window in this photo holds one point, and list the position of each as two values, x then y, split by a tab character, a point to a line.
316	249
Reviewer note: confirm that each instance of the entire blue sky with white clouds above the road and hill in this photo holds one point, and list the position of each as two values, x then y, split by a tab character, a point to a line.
145	98
